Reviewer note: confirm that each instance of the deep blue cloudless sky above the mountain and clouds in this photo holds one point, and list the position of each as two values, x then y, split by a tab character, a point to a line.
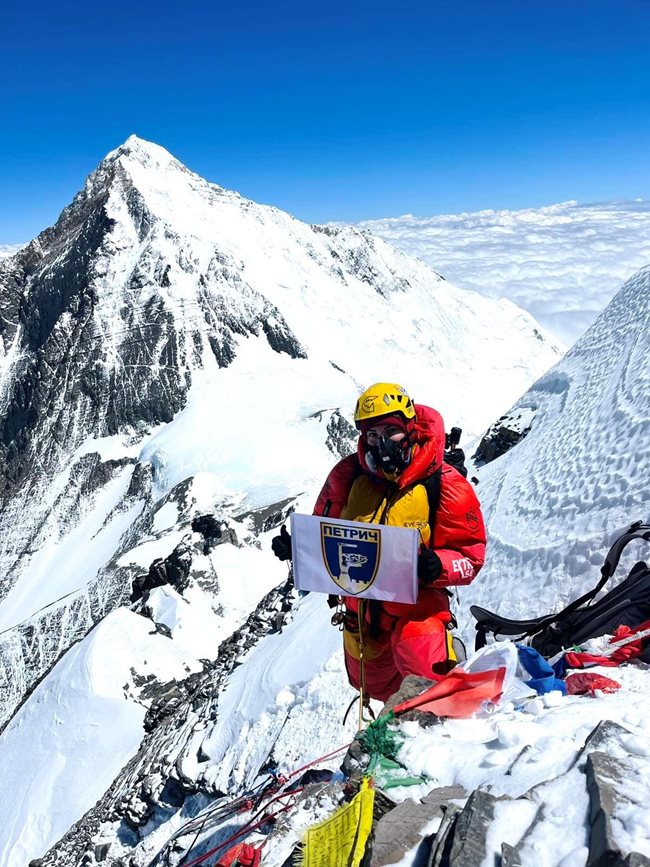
333	111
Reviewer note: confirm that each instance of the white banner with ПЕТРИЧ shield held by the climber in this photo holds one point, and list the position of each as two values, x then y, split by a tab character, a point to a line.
351	558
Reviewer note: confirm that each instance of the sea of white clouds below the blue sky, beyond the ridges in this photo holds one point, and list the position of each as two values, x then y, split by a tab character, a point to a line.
562	263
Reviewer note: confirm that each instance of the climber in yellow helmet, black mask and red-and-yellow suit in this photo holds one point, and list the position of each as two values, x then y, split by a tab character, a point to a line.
398	477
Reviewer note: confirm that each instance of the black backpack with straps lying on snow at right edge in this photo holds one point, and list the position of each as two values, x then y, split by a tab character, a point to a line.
628	604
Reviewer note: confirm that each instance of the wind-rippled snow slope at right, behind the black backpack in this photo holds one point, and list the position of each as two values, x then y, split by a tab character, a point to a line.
556	501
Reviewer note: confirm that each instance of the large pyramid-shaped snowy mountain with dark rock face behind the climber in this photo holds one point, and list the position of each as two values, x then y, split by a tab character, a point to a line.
160	305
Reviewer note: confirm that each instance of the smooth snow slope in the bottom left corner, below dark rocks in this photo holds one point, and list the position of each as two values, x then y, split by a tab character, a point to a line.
81	725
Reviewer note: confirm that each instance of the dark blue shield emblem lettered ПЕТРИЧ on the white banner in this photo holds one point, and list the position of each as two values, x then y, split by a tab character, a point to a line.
351	556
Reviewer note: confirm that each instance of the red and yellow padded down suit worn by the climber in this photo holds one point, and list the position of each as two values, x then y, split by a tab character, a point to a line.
401	639
